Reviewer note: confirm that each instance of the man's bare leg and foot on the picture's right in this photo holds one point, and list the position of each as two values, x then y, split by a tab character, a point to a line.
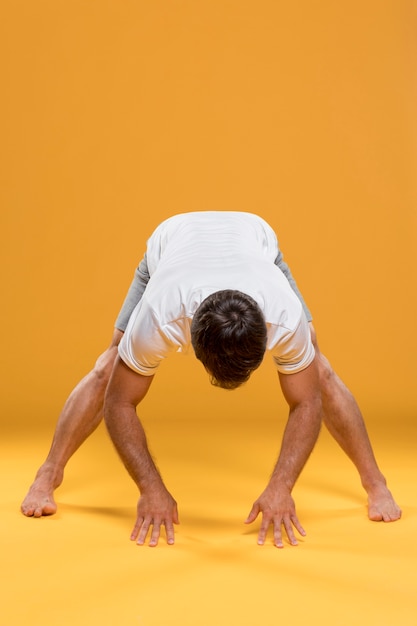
344	421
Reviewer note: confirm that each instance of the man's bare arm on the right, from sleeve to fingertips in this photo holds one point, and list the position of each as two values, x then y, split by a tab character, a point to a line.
302	392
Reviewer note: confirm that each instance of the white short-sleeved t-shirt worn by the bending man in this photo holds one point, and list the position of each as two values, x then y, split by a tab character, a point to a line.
192	255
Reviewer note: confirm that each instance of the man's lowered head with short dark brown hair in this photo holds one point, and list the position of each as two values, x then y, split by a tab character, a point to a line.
228	333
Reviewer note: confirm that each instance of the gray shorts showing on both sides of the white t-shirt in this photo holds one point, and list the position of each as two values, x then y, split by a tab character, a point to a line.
141	278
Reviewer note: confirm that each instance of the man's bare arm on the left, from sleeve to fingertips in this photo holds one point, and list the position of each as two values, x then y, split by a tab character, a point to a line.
156	507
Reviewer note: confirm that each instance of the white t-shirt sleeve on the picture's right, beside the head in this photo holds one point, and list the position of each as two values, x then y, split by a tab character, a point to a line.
293	350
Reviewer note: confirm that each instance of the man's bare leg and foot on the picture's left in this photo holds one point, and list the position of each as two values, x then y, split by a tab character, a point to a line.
80	416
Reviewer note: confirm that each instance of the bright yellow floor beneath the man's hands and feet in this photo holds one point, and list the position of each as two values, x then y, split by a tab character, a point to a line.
79	567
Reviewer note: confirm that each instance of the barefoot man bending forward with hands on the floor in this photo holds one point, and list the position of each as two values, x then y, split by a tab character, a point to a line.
215	281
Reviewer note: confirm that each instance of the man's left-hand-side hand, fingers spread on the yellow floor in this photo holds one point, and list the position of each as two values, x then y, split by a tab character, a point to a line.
156	508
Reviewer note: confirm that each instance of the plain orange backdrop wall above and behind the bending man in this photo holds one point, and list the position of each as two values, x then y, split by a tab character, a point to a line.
119	114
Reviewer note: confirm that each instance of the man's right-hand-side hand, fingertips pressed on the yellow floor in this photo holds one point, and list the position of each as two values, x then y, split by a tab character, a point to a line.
278	509
